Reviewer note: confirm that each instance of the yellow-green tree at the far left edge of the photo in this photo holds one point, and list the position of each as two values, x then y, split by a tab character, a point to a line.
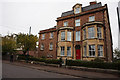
8	44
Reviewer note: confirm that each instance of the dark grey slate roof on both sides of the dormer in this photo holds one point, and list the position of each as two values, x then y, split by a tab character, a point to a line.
83	9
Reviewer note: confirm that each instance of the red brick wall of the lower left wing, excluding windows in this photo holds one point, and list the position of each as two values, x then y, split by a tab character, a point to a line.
46	43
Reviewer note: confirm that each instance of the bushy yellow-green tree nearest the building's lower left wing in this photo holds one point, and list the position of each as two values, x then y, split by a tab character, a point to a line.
26	42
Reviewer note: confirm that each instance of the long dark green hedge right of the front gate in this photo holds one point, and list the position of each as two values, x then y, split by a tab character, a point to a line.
92	64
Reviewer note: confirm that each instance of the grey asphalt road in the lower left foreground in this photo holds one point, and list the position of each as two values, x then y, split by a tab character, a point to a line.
13	71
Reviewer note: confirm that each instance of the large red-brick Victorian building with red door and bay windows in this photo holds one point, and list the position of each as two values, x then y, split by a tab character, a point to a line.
82	33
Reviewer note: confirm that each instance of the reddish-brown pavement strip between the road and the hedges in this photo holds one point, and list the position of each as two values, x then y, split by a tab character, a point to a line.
65	71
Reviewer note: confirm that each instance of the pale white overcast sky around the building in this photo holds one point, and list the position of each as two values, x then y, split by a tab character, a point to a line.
18	15
